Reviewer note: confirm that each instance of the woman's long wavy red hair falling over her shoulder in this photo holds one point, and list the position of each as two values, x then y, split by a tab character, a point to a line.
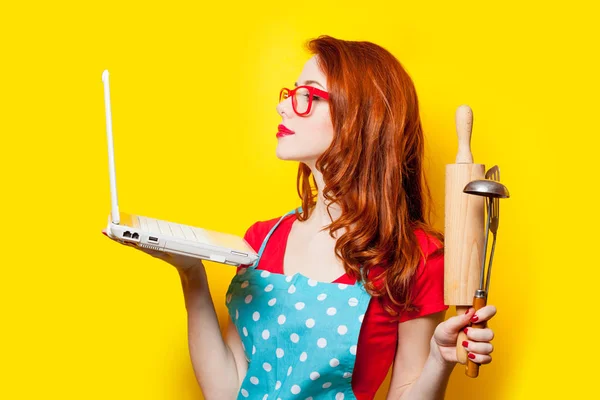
373	169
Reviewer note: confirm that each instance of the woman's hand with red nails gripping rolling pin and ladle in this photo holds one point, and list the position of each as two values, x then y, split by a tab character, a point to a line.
443	343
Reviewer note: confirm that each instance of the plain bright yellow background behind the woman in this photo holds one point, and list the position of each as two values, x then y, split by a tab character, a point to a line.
194	89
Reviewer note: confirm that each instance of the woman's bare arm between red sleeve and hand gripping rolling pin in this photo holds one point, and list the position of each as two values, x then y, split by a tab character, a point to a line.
417	372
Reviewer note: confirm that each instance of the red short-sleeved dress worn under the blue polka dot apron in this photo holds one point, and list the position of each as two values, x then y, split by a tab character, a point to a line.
379	333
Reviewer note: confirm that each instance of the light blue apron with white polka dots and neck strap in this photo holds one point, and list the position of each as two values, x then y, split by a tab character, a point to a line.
299	335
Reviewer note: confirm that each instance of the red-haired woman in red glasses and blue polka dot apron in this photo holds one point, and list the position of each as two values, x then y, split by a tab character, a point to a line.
351	282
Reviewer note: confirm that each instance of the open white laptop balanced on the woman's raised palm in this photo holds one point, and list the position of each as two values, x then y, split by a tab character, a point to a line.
167	236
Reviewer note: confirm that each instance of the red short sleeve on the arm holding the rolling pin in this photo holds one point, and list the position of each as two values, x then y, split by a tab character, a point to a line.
428	288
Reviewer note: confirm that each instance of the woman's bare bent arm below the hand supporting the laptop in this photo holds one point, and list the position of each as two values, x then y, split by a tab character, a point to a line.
219	365
